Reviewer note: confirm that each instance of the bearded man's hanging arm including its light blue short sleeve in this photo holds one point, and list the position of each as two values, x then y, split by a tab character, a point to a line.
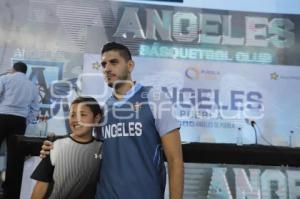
168	128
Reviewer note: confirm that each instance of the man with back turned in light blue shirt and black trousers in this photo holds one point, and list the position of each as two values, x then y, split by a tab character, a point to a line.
18	106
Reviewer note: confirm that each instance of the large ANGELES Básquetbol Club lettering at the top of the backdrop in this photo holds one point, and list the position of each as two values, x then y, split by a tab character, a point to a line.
196	34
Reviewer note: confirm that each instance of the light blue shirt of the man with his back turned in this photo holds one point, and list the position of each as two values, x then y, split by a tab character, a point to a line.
18	96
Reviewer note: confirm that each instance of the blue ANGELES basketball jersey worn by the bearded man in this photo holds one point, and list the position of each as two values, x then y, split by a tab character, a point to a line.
133	166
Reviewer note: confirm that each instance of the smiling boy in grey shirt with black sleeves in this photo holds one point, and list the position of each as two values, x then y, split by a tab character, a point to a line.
73	164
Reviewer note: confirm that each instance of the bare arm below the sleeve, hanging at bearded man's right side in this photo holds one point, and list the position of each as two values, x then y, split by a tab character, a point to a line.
173	152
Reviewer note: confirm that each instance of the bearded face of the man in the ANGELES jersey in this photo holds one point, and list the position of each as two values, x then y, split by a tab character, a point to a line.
115	67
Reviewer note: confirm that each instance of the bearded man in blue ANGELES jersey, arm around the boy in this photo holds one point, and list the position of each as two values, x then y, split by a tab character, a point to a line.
138	128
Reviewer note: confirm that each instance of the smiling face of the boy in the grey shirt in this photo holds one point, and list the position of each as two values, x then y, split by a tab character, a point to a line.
82	120
